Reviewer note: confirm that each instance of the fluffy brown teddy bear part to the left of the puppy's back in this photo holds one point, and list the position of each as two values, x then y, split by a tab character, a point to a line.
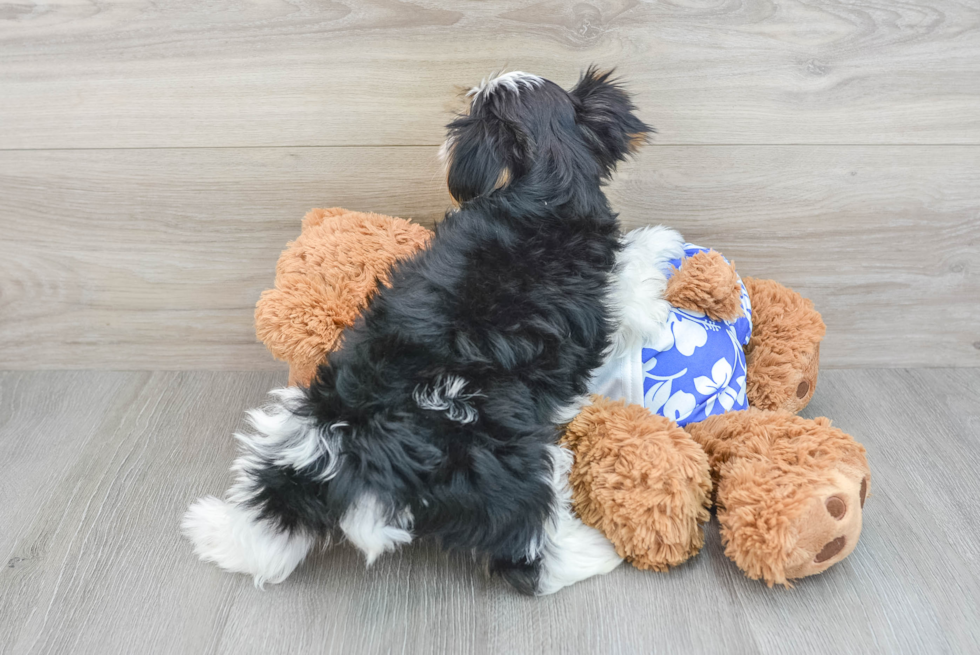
324	281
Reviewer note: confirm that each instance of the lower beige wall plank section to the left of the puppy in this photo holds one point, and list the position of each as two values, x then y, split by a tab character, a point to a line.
146	259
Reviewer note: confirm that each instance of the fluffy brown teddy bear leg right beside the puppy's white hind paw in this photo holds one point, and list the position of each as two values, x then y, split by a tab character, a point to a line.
641	480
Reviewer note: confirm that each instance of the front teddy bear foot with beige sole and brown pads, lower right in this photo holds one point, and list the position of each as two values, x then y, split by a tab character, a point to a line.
789	491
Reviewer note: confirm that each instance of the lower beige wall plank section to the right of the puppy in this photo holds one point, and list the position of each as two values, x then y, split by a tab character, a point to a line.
884	240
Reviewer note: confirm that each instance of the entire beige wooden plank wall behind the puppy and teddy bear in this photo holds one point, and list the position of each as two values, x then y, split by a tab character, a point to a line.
155	157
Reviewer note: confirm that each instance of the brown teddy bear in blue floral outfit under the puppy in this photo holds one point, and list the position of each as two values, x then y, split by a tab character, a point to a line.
788	492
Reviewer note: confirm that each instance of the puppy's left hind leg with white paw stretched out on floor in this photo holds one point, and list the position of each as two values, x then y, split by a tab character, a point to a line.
272	514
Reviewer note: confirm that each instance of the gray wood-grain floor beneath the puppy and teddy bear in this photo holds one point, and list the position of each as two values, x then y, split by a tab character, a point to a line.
96	469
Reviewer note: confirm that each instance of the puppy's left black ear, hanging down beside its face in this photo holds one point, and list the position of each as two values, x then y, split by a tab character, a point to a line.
483	152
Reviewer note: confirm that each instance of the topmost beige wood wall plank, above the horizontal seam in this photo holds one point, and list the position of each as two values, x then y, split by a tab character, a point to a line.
380	72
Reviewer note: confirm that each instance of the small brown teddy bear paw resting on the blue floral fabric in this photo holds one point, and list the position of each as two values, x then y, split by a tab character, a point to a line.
707	283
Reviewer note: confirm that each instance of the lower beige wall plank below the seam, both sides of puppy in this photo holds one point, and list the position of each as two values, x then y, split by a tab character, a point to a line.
148	259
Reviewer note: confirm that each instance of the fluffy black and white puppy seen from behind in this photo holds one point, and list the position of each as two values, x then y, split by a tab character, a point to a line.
440	415
